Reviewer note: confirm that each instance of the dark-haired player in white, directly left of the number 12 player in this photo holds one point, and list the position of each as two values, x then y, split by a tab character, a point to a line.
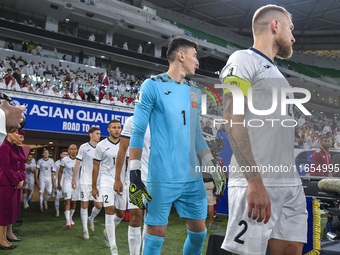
85	157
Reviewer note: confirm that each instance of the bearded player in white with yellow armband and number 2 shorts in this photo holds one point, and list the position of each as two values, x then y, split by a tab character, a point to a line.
270	207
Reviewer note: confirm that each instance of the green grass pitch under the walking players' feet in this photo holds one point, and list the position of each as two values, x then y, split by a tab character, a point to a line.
42	233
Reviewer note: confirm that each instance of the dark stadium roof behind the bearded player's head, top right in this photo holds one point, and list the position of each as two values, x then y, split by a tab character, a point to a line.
311	18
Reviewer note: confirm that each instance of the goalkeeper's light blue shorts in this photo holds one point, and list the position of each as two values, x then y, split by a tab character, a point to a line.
190	200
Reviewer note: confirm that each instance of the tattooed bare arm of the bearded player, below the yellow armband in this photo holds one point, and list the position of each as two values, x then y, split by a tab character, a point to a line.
257	196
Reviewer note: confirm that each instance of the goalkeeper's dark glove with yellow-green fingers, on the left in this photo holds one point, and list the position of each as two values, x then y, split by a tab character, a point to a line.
137	188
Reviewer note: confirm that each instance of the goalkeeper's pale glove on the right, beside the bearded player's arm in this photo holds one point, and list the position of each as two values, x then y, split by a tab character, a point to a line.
218	176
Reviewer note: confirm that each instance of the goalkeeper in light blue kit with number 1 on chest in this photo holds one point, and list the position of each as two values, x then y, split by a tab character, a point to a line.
171	106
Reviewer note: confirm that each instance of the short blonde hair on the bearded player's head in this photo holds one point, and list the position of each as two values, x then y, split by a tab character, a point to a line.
264	15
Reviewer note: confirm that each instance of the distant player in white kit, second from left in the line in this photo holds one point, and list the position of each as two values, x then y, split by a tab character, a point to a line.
44	170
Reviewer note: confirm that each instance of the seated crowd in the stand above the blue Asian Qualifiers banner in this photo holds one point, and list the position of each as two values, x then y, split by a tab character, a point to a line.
118	88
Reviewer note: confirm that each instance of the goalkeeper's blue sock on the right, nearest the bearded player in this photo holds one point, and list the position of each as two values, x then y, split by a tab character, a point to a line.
194	243
